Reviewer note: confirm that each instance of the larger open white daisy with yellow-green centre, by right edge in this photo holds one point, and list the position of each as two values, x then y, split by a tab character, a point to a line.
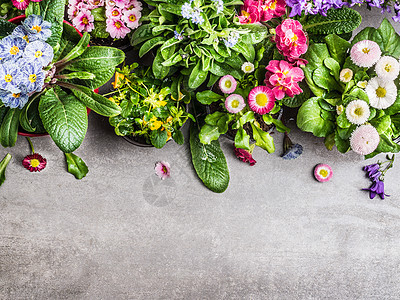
381	93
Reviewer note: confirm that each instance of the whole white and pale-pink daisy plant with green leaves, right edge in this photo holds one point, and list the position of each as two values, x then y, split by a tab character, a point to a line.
355	103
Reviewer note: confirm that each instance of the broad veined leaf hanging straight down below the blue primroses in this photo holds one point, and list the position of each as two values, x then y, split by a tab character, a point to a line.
64	118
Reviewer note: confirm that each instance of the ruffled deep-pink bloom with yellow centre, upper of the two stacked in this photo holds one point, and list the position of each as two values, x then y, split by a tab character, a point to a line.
290	39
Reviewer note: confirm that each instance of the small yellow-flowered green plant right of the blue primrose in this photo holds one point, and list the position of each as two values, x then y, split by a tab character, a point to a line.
150	115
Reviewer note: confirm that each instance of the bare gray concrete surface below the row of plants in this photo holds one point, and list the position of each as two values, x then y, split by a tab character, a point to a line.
121	233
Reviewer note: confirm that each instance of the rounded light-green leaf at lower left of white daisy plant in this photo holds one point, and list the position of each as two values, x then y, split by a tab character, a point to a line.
309	119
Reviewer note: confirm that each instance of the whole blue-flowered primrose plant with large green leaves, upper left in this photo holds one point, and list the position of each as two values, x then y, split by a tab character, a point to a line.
47	83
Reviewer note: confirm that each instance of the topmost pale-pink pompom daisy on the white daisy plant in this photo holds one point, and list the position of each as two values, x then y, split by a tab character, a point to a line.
365	53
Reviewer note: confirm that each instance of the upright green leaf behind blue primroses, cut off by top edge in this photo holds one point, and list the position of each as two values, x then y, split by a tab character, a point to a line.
53	12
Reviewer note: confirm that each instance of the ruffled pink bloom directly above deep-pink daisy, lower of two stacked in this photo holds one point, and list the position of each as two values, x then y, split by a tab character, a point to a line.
283	79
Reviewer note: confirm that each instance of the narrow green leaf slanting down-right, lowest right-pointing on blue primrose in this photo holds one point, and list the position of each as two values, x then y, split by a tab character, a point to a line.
95	102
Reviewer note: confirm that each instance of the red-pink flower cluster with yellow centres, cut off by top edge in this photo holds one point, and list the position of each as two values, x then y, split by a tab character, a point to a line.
261	10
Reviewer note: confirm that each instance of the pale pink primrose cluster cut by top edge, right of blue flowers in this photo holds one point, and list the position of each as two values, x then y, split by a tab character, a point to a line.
121	15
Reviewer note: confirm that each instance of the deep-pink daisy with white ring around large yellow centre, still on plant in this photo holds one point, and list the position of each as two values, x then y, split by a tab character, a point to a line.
261	100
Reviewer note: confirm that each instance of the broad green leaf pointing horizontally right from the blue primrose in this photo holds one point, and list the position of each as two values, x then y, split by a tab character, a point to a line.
97	57
